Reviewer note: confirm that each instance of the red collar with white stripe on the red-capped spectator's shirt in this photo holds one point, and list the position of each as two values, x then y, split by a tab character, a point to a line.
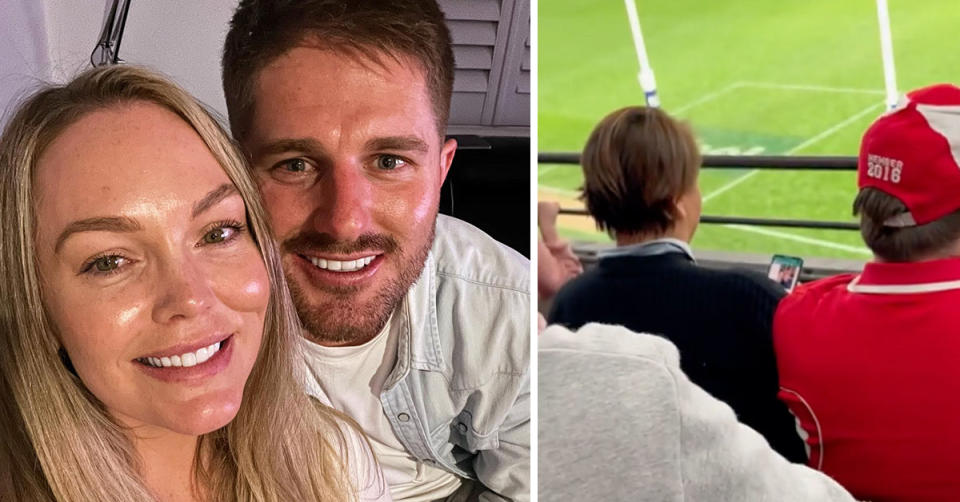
906	278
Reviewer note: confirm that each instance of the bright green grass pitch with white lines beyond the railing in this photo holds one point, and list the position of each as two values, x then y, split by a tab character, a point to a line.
751	76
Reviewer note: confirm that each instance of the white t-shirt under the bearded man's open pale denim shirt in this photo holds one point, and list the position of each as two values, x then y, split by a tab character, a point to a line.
351	379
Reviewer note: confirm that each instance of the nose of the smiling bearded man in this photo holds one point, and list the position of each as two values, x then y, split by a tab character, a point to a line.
344	211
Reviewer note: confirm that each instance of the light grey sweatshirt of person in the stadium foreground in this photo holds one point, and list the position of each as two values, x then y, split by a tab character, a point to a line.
618	420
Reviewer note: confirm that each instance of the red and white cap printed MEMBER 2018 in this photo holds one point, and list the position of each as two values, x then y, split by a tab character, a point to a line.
913	153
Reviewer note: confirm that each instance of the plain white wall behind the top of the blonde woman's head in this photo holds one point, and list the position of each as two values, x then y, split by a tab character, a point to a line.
181	38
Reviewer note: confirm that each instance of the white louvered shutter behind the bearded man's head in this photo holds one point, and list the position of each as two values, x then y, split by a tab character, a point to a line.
491	47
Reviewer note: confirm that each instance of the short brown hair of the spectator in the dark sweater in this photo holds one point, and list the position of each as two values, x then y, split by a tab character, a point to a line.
636	164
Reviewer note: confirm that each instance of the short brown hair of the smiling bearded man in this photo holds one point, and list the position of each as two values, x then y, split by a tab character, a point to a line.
262	30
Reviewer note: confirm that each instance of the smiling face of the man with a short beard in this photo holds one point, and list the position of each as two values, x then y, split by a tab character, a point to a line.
350	164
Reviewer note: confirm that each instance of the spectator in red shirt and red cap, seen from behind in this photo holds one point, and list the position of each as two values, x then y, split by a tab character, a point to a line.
868	362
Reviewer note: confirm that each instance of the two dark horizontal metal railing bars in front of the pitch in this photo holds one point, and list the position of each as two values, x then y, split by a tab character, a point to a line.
814	163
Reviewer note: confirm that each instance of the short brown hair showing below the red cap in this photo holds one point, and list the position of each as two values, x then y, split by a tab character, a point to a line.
901	244
